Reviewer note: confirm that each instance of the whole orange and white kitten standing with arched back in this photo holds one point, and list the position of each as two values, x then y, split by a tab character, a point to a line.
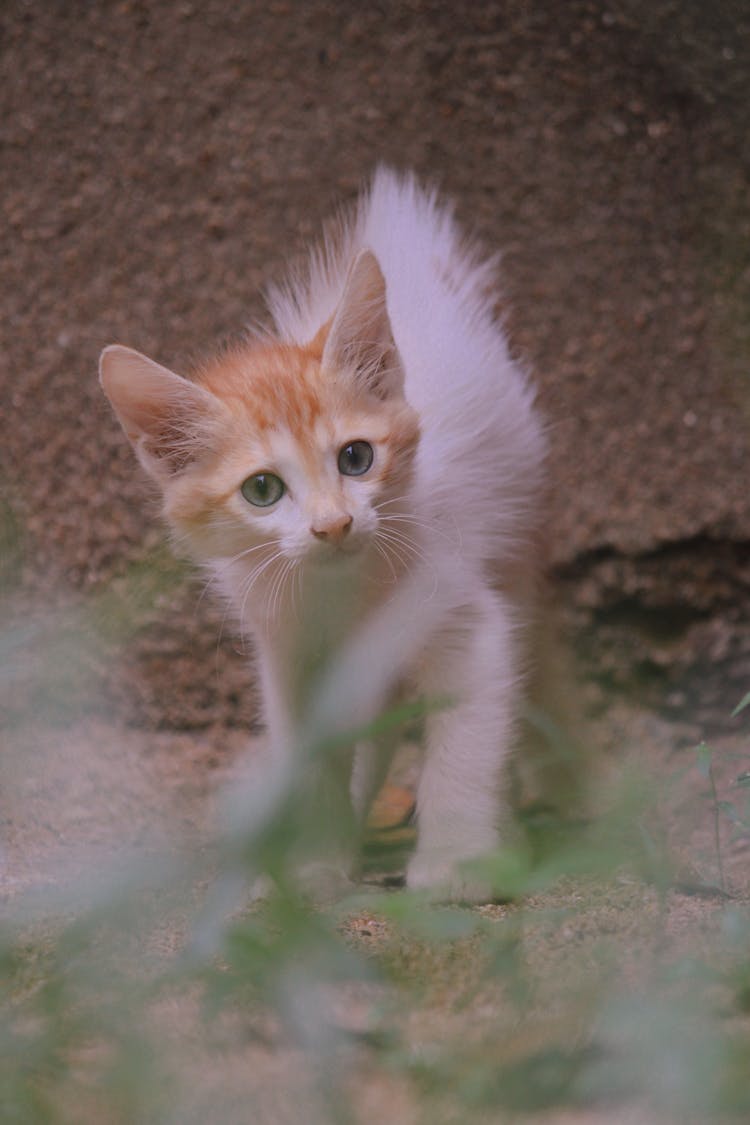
362	482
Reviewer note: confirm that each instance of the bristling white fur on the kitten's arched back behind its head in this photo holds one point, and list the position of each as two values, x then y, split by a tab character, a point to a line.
482	448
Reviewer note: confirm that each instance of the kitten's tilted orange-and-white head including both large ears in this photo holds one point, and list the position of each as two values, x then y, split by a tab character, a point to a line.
277	452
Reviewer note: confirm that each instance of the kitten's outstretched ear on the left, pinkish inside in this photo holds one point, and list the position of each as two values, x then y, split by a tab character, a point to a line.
167	419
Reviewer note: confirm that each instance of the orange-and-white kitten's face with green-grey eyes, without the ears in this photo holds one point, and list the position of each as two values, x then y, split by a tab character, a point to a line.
303	462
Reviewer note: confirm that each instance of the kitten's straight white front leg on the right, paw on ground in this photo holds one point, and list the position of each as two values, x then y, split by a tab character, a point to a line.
473	665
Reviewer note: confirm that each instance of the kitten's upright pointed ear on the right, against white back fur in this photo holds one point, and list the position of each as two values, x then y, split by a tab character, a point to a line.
360	339
